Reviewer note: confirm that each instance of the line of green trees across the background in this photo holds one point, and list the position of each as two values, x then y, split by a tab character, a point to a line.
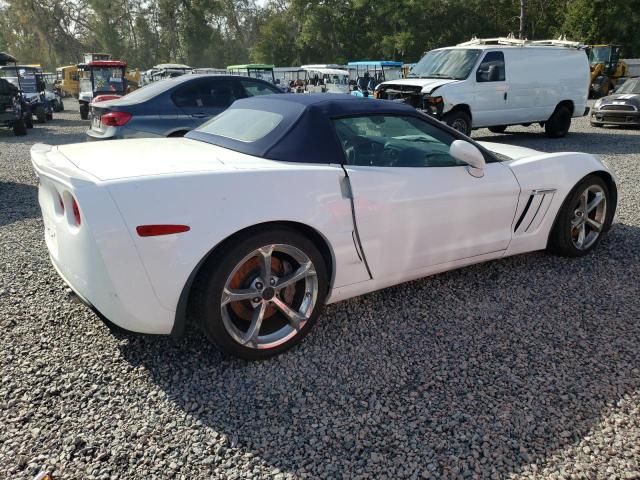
216	33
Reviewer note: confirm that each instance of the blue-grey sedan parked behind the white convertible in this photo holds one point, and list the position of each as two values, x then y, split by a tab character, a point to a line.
172	107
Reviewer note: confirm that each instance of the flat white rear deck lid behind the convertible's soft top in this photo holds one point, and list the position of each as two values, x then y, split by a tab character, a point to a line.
146	157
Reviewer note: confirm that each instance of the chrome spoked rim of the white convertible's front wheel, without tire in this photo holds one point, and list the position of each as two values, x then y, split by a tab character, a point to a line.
589	216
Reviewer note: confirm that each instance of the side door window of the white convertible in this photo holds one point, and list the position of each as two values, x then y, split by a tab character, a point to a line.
394	141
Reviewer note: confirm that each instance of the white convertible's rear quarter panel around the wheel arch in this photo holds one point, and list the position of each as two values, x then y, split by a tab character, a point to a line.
216	205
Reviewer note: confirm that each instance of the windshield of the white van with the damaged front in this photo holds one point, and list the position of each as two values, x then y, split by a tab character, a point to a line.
454	64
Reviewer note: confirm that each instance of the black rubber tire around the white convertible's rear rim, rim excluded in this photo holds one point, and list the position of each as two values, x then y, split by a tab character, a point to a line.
206	295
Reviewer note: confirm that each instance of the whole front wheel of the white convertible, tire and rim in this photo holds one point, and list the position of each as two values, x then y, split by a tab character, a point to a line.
584	216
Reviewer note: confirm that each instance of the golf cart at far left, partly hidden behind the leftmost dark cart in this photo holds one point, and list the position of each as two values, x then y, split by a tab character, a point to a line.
28	79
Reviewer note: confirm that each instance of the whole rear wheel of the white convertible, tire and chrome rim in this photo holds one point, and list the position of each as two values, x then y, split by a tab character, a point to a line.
260	295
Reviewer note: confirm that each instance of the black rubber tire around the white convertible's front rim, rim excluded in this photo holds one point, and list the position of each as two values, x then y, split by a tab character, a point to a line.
560	239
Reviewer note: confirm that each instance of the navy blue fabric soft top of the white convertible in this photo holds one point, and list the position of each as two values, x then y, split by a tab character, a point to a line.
306	133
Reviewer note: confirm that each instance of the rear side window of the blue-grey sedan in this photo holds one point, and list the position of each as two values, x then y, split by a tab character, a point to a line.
205	93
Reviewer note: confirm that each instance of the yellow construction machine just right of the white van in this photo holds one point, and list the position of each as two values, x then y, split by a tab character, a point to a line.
606	69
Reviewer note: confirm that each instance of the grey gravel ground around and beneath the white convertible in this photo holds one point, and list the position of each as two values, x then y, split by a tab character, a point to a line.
526	367
